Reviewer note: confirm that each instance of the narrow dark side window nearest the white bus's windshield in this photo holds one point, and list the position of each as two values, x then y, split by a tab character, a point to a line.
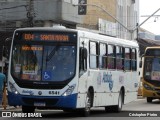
82	61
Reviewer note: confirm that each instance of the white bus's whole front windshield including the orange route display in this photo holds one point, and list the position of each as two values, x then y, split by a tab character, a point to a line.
43	56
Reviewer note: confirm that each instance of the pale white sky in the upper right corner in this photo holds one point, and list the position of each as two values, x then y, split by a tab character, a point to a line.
148	7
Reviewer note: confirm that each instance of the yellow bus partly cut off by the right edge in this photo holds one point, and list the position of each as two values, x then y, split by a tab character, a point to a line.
151	73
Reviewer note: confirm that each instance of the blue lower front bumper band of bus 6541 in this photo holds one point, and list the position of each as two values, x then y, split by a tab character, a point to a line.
62	101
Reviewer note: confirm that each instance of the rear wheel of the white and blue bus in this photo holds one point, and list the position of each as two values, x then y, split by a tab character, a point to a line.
118	107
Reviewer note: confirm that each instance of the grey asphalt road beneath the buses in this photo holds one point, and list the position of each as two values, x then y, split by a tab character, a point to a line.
136	110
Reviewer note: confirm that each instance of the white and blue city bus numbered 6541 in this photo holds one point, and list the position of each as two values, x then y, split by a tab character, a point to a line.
70	69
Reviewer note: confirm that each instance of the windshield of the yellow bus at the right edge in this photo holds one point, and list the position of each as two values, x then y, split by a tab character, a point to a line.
152	68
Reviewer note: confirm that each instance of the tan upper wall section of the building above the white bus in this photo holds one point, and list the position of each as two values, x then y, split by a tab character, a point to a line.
94	13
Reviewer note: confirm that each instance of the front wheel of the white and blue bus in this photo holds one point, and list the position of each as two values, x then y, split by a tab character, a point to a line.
86	110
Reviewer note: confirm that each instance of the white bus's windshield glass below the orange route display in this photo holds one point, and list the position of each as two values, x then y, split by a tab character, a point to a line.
43	62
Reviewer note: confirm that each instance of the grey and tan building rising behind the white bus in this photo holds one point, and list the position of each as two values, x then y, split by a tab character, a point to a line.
103	16
